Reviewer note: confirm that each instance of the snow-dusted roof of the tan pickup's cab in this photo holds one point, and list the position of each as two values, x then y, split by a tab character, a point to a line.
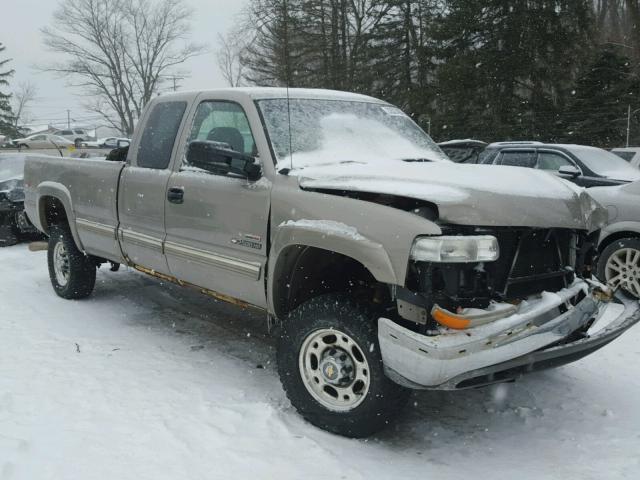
260	93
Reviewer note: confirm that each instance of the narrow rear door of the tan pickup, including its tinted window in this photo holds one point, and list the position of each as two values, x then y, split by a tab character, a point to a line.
143	186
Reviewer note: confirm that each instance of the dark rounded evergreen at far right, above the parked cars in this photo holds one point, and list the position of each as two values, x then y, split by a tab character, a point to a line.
598	113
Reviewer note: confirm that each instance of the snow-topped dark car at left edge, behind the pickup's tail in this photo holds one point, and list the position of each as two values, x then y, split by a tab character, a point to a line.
14	223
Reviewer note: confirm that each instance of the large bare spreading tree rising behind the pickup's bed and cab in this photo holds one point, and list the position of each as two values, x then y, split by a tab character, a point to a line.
120	51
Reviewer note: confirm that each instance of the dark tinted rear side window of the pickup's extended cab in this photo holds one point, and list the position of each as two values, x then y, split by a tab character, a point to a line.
159	135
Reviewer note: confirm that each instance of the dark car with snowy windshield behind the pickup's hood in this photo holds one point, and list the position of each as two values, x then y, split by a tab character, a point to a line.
583	165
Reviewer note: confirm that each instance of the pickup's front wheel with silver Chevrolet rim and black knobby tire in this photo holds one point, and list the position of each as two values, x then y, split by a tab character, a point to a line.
331	369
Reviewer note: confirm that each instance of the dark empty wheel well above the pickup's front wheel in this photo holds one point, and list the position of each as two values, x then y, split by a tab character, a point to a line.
304	272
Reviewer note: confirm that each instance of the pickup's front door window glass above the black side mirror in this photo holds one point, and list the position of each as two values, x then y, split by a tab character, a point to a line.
223	122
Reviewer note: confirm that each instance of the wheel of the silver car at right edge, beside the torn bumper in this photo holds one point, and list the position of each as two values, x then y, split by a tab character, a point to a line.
619	265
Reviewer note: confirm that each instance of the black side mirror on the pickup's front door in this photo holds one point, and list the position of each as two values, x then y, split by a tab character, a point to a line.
219	158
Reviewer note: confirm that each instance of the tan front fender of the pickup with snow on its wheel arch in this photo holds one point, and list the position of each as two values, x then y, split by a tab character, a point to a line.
380	237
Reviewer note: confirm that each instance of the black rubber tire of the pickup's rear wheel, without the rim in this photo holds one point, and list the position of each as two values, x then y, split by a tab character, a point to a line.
81	269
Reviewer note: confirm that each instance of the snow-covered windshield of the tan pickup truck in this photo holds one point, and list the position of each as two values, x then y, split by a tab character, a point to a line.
330	131
